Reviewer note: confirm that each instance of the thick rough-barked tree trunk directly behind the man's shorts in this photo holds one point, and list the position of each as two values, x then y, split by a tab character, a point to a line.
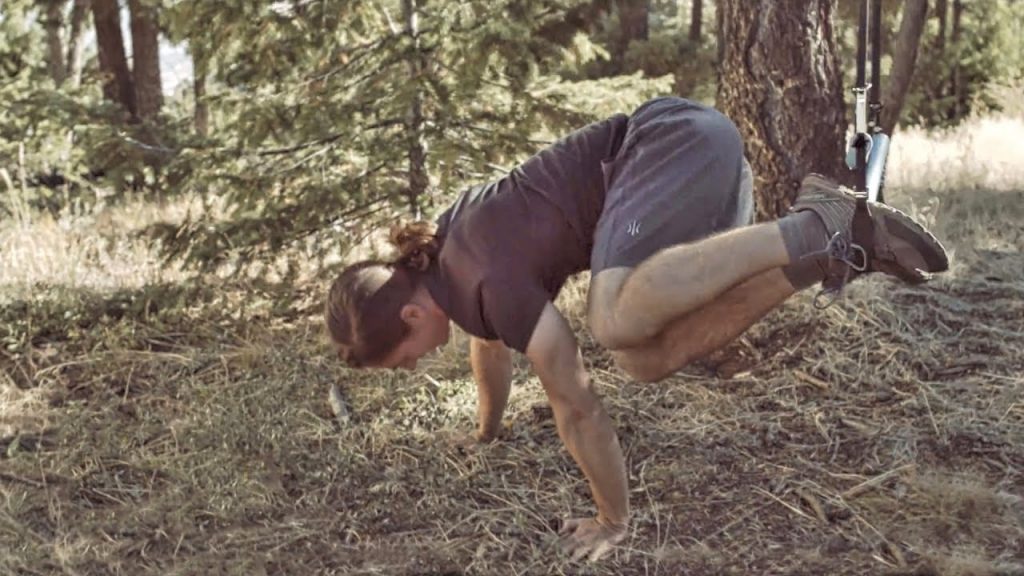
780	81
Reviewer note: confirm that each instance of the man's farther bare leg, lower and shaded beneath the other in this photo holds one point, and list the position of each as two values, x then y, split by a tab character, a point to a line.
706	330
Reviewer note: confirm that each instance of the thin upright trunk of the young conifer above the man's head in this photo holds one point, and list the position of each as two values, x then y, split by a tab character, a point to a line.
419	180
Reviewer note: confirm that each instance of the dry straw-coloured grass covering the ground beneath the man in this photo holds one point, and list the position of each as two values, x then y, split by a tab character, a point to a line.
885	436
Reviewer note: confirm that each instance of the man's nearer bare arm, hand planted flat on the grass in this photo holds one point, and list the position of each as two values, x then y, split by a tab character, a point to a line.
586	431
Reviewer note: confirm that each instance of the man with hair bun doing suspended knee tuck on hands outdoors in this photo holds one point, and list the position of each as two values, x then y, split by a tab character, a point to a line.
658	205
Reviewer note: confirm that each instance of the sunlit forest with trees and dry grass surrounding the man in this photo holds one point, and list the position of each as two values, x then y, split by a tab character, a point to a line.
165	245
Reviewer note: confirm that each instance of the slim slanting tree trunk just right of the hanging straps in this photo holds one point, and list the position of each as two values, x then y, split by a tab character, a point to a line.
905	60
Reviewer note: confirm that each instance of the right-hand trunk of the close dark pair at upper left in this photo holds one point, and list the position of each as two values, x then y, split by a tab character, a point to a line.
146	59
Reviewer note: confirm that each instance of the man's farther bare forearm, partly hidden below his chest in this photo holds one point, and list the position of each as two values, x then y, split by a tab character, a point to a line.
492	362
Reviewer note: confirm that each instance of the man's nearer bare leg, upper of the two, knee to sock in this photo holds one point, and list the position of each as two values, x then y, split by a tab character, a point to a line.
630	307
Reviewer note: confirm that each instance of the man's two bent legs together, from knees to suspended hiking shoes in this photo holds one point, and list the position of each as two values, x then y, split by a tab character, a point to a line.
710	292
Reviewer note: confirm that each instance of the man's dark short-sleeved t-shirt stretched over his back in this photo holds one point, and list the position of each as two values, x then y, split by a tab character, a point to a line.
509	246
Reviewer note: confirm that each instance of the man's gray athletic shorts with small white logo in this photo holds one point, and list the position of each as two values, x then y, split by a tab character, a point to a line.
679	177
